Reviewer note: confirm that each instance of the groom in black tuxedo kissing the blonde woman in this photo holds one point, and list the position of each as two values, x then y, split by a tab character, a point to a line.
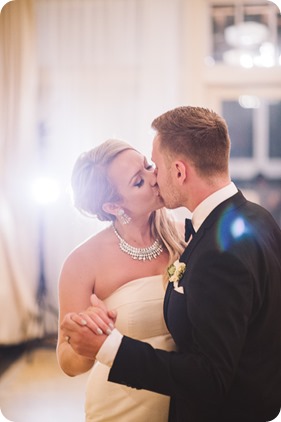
226	316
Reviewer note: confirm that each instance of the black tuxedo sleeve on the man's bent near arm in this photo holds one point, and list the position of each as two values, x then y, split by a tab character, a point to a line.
219	302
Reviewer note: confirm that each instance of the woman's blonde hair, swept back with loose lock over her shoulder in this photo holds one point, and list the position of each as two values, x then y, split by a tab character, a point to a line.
91	188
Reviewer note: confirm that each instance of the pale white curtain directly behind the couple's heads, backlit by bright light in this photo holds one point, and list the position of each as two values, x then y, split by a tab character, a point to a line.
107	68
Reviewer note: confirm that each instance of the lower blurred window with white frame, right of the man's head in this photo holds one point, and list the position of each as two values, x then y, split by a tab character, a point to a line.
254	128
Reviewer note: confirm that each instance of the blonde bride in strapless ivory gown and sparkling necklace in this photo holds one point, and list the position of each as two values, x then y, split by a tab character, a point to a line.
125	266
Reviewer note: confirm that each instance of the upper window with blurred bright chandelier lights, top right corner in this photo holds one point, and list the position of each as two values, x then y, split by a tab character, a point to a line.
246	35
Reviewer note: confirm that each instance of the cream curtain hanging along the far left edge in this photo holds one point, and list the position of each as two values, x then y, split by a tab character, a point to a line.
20	317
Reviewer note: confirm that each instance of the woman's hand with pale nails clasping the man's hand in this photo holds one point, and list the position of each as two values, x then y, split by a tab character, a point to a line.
96	317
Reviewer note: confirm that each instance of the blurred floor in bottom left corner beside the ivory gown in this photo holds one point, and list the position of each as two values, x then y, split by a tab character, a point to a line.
33	387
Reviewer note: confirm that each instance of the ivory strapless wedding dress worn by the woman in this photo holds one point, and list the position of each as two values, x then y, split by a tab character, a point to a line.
139	304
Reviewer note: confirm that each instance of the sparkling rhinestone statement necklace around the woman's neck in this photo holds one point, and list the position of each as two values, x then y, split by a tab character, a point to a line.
141	254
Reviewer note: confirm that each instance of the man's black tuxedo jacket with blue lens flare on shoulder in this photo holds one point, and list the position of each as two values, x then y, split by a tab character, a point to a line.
226	324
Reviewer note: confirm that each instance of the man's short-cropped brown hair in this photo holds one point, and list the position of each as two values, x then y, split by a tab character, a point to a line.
198	134
